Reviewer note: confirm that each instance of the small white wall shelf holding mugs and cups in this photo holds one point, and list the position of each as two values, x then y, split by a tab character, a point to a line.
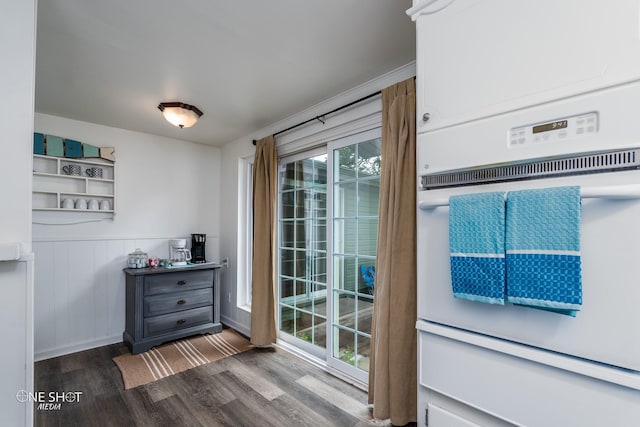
58	179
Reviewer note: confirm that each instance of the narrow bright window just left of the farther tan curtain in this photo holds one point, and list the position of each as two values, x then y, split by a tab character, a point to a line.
245	233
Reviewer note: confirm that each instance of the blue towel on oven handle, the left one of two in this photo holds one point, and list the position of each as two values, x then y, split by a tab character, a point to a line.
476	243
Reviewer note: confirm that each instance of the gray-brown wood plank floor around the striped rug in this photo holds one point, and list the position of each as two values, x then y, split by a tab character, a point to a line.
261	387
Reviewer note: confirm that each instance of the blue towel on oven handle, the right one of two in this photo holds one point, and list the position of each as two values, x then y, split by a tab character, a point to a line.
543	249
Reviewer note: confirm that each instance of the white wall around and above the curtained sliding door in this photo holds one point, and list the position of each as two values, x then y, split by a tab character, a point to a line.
358	118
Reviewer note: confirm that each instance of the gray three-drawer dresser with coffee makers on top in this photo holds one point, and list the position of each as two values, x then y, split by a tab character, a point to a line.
165	304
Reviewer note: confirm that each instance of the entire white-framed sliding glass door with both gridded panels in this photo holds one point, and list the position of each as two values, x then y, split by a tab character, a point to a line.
328	221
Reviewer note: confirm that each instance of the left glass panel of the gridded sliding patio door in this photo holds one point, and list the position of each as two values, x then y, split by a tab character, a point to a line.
303	251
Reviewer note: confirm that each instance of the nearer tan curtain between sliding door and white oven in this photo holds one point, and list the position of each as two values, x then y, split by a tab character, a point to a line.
393	372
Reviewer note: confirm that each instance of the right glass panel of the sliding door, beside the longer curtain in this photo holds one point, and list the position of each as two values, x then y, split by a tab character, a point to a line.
355	189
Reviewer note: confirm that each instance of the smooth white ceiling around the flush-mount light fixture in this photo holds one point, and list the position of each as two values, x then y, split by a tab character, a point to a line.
245	64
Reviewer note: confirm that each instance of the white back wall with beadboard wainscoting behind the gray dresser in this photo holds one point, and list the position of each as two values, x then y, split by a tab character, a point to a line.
165	188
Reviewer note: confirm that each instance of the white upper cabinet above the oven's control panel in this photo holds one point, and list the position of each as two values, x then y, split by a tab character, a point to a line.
479	58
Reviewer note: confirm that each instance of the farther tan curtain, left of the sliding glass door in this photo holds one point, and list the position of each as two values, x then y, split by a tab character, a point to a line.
263	286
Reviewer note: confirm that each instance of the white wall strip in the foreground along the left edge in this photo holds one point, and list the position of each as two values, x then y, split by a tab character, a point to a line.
17	48
